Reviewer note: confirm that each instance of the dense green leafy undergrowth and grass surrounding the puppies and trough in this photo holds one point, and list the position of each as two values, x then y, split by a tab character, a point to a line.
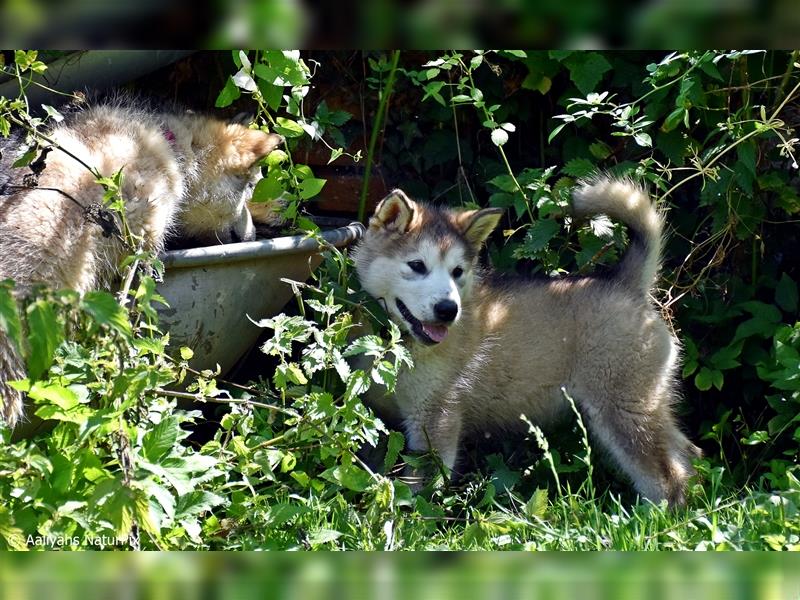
133	460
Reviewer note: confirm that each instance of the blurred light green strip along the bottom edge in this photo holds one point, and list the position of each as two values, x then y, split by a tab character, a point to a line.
612	576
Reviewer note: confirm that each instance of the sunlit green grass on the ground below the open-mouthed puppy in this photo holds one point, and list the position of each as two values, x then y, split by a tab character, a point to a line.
480	514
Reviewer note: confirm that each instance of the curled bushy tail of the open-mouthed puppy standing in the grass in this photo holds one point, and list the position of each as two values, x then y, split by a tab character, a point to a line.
626	201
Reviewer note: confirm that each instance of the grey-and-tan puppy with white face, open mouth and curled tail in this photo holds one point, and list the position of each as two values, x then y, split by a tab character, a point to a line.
487	349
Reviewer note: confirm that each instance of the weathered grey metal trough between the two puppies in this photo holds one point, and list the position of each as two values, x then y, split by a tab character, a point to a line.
211	291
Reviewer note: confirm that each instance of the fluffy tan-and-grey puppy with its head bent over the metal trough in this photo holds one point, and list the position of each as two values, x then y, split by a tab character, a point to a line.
181	173
